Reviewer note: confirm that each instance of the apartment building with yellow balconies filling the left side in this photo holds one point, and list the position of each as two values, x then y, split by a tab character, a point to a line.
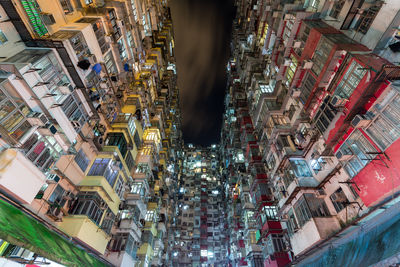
90	128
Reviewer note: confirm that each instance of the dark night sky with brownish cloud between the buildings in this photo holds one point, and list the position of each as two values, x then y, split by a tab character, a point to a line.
202	30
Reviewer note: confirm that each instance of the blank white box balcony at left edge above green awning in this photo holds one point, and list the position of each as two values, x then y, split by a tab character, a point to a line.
30	179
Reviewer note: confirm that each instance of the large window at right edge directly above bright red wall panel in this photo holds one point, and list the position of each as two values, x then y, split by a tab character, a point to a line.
386	127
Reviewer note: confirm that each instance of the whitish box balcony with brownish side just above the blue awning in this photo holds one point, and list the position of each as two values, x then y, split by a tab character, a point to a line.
318	228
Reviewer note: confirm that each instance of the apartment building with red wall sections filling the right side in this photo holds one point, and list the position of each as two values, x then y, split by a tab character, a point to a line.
307	133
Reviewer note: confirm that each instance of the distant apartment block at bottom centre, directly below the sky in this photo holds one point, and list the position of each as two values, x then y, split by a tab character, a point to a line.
199	221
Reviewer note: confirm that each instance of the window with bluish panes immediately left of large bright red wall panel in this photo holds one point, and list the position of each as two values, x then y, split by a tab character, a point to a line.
358	148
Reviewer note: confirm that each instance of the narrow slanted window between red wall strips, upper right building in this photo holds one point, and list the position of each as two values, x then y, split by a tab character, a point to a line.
350	80
